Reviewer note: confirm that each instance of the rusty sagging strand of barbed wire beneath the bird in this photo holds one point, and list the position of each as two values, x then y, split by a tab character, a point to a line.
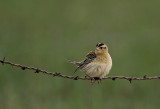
37	70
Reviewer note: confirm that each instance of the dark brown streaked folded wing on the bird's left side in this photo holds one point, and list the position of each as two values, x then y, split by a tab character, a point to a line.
89	58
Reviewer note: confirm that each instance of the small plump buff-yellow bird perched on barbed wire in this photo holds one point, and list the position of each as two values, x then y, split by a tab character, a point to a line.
97	63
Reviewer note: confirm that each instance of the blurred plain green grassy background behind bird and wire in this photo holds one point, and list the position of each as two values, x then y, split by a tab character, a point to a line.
45	34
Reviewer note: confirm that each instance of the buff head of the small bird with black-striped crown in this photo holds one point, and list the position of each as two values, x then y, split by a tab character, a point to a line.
101	49
